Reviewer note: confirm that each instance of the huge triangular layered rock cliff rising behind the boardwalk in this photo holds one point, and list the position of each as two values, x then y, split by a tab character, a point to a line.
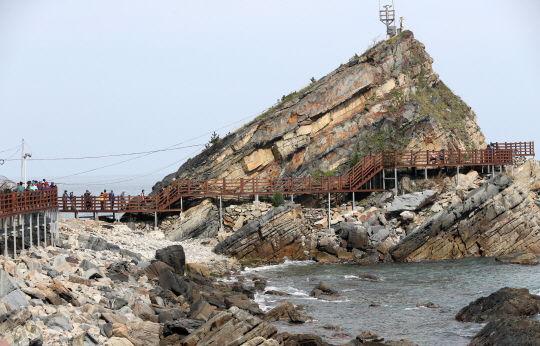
389	98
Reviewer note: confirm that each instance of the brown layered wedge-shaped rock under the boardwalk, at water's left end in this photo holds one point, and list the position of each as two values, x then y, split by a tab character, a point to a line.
280	232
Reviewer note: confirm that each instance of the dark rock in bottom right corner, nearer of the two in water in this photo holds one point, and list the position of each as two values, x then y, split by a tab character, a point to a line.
508	331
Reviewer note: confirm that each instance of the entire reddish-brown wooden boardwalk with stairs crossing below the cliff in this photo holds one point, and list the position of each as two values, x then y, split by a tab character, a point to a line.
360	178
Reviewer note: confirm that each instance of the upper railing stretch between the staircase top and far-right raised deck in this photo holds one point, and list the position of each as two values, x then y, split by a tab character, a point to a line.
447	158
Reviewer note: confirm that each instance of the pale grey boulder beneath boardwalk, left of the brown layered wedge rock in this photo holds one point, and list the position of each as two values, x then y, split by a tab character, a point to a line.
201	221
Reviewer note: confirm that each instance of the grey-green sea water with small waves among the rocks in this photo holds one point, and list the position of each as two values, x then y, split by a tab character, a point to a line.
451	284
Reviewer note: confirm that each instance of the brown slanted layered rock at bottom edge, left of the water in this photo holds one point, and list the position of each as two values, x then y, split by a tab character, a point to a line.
234	321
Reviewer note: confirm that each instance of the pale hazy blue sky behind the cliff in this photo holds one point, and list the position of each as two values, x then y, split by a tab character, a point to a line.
91	78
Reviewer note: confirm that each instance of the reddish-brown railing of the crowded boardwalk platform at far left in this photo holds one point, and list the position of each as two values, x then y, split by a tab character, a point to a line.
16	203
